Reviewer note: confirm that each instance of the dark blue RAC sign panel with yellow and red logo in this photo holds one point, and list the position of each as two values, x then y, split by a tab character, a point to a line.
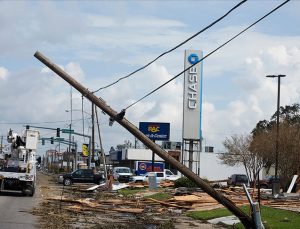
156	130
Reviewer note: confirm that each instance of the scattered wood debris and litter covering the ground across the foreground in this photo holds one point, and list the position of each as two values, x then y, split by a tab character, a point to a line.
98	206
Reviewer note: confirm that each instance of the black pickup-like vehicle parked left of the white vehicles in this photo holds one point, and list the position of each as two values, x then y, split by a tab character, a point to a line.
82	176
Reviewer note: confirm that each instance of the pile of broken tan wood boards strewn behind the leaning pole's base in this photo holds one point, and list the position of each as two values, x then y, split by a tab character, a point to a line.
186	201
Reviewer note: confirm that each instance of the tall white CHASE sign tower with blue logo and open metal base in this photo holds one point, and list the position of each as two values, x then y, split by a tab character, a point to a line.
192	110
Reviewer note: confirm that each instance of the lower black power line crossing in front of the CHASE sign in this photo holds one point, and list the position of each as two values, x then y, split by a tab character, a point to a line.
207	55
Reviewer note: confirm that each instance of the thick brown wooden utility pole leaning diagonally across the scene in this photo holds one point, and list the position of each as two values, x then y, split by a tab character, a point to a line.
119	117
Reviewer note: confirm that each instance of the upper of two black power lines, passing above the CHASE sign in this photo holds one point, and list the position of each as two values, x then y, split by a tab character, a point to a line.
172	49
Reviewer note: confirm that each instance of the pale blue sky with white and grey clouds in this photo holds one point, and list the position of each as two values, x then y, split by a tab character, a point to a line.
99	41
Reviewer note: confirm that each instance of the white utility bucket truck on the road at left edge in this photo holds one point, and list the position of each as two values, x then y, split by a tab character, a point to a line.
18	166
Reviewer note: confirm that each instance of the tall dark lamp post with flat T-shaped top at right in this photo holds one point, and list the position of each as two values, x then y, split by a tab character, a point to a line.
275	186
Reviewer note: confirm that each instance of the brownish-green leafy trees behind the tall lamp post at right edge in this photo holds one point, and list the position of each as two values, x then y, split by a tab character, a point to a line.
264	139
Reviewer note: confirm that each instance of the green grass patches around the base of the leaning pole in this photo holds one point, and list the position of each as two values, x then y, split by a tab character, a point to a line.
271	217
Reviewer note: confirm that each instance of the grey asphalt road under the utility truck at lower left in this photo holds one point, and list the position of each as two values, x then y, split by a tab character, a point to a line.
15	211
